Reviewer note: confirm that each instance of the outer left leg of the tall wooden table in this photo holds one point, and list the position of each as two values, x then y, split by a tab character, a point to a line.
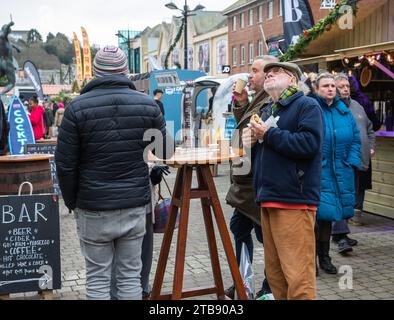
166	244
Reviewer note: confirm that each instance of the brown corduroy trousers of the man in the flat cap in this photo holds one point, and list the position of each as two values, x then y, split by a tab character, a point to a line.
289	251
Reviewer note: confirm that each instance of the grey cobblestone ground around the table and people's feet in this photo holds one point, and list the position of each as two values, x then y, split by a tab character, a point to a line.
370	266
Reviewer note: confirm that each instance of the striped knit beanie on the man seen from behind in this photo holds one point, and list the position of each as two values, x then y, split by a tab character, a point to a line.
110	60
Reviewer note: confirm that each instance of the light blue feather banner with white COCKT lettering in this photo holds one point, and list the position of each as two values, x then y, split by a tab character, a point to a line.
21	131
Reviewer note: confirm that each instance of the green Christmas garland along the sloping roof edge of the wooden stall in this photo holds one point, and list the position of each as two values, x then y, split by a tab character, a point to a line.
318	29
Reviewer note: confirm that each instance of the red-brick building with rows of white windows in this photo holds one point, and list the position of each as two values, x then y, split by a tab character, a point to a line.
253	23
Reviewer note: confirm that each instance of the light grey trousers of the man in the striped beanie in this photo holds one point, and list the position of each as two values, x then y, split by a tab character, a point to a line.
112	240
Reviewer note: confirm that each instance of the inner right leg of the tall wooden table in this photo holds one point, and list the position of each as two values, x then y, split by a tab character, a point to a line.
213	250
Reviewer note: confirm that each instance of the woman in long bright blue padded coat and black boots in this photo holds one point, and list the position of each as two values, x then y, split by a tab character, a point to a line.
341	157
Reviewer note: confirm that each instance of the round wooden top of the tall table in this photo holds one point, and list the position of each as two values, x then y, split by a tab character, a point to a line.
199	156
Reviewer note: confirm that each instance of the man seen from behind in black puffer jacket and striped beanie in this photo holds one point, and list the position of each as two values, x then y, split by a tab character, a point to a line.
103	175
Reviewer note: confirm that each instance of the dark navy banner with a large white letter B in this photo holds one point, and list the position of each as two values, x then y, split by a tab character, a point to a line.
297	17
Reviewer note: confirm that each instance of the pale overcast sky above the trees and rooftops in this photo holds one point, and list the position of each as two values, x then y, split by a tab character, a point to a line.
101	18
